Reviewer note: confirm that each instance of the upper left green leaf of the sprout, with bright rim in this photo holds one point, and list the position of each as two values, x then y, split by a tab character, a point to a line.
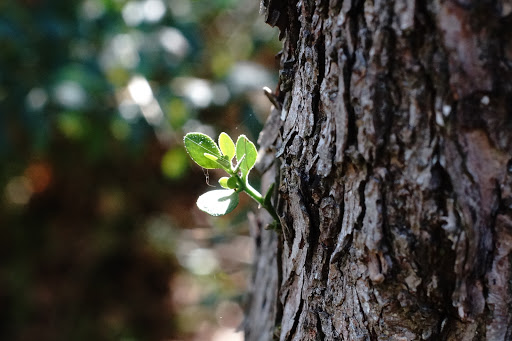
198	145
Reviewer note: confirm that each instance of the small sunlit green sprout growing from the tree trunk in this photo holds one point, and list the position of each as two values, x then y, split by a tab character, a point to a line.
237	160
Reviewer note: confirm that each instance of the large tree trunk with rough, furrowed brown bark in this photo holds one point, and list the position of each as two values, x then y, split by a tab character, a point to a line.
392	148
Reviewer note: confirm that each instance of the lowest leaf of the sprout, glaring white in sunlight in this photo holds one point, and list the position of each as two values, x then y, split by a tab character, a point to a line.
218	202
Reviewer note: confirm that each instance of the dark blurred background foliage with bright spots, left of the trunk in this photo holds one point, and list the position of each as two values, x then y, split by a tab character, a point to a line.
100	238
